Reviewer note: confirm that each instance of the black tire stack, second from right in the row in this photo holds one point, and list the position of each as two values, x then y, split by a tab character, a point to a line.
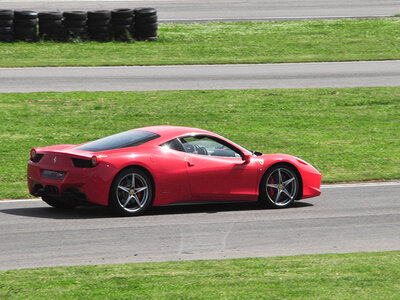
122	24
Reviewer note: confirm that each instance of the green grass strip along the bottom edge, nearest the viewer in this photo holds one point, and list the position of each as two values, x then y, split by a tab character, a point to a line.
338	276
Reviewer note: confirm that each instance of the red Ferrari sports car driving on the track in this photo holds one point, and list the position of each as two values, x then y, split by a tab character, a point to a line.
161	165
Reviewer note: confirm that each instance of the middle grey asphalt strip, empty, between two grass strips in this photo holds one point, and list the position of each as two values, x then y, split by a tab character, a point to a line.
301	75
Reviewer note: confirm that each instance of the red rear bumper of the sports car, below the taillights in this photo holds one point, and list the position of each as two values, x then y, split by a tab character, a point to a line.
78	185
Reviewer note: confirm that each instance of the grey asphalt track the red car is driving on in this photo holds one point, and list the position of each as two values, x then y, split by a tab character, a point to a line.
345	218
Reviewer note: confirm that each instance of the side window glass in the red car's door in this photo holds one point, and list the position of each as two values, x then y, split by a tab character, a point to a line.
204	145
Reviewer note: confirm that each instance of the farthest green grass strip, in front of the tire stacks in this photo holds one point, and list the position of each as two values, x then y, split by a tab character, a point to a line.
236	42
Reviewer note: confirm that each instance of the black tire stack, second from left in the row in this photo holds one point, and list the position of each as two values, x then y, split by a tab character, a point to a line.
25	25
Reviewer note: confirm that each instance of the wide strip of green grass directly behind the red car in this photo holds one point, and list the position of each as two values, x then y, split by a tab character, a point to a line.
348	134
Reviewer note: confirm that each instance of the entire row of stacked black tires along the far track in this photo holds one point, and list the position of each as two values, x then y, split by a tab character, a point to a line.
98	25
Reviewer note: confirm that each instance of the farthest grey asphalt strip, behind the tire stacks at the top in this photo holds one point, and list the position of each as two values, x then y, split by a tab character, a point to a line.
224	10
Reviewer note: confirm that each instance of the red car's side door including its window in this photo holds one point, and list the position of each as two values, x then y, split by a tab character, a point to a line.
217	171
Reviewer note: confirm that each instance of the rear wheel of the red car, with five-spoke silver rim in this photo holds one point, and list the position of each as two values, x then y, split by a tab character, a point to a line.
128	200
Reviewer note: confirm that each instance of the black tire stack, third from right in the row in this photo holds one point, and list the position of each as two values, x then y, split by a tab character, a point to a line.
99	22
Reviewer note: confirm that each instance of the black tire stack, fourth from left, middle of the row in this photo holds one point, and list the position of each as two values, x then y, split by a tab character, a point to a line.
75	24
